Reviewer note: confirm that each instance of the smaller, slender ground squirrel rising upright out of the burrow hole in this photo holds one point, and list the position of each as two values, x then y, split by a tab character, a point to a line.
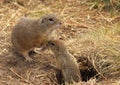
66	62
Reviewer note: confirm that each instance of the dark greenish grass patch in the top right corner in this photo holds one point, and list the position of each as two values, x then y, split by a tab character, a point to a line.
113	6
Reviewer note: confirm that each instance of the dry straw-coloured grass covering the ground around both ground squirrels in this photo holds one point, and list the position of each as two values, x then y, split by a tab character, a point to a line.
86	34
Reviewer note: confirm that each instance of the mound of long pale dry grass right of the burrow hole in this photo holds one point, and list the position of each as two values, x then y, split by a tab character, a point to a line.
102	47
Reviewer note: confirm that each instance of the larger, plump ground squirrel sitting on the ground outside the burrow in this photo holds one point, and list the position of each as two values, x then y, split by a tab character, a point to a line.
30	33
